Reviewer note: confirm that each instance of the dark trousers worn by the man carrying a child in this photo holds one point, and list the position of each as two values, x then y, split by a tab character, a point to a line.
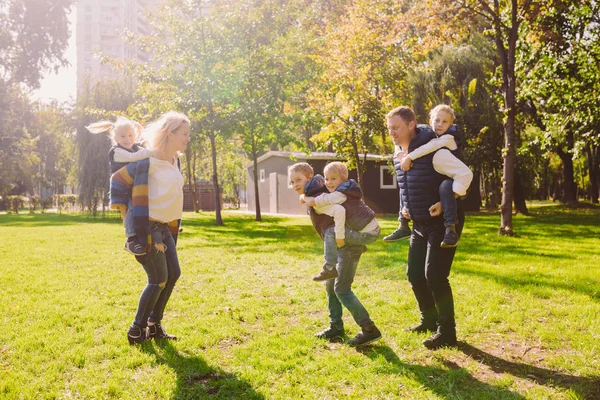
428	270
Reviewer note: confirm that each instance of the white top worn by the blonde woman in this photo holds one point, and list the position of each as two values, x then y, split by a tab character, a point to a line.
165	190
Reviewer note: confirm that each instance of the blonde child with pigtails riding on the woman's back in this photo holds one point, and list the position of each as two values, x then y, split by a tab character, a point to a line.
124	135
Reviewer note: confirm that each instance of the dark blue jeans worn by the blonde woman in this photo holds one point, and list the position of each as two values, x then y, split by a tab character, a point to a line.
163	271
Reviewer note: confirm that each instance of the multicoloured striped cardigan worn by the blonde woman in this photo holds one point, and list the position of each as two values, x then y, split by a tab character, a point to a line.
132	181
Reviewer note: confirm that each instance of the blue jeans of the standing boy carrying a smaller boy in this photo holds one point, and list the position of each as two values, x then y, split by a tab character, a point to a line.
339	291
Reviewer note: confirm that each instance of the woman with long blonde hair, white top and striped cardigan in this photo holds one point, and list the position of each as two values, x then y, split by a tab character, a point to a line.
157	185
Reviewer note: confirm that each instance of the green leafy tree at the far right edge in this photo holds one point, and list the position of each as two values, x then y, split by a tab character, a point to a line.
559	62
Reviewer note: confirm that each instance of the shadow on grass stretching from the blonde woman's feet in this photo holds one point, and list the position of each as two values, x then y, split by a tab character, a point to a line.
196	379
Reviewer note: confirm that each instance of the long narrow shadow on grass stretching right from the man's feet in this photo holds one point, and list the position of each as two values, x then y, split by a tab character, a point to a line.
584	386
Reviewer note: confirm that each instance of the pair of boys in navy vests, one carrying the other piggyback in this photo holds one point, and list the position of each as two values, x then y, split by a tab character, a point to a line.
352	244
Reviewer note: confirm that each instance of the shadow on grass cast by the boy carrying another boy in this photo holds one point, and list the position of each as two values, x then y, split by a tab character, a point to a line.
453	382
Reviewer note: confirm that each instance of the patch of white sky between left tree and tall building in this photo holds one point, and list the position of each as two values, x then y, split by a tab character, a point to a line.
61	86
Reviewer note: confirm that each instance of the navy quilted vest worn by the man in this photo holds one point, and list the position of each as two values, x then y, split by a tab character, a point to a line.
419	186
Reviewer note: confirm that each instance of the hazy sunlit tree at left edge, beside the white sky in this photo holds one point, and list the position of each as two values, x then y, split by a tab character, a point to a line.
33	37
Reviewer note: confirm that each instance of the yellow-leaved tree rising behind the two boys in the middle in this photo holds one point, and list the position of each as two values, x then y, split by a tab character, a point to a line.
363	64
